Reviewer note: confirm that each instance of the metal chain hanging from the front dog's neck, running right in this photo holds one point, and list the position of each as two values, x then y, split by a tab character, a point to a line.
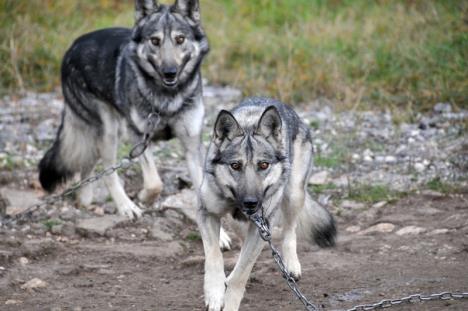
264	230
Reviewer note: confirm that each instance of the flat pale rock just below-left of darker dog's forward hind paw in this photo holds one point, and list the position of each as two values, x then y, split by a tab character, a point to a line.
99	225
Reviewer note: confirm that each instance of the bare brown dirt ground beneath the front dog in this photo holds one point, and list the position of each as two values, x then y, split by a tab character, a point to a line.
118	273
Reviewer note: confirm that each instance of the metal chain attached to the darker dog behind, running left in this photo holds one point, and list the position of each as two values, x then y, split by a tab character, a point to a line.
137	150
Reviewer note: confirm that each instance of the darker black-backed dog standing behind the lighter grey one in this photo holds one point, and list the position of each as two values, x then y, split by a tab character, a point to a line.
112	79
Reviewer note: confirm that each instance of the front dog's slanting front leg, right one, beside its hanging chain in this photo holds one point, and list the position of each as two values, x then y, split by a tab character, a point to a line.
238	278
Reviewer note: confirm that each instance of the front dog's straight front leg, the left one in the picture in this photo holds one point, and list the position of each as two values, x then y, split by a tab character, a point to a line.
214	283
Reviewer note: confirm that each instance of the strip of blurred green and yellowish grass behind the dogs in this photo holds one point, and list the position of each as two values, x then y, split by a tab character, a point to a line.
359	53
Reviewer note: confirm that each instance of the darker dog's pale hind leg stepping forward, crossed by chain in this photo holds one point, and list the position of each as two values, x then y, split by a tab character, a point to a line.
108	152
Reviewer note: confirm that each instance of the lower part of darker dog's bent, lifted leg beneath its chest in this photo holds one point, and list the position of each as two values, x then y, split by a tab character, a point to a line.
152	183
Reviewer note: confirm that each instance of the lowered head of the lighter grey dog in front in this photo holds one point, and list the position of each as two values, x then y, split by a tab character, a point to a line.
248	162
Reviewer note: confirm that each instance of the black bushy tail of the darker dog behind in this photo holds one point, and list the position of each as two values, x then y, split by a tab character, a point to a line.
52	171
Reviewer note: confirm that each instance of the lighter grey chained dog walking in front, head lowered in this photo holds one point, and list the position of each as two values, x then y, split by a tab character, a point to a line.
259	161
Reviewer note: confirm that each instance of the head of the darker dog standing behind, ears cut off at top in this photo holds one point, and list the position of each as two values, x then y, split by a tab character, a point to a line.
169	41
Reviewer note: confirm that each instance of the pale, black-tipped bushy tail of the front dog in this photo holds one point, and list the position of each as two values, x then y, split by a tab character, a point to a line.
316	224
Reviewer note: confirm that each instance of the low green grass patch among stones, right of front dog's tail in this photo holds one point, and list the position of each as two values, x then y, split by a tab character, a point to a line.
373	193
